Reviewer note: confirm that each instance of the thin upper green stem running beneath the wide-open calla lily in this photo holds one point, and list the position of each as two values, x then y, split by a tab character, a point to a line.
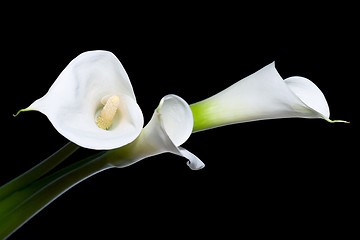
39	170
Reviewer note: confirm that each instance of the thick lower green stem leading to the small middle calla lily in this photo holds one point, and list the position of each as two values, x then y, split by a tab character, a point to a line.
23	204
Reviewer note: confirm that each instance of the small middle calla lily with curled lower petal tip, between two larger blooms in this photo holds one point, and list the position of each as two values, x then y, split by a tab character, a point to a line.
170	126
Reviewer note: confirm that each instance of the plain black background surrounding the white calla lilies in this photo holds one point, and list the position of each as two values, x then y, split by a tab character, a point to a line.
283	177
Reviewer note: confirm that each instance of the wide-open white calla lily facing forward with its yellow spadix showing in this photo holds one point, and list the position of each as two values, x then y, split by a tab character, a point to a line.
92	103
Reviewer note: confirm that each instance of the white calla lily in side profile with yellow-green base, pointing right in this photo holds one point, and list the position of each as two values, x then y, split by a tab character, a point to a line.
262	95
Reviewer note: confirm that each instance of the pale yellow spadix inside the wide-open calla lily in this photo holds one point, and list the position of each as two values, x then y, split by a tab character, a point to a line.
106	117
